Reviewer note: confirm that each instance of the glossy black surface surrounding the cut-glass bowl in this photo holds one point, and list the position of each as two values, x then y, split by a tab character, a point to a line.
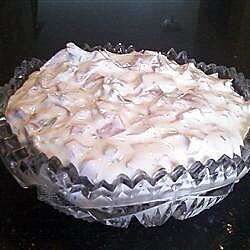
211	31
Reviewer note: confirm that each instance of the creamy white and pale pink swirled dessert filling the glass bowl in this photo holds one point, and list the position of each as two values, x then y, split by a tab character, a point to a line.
112	114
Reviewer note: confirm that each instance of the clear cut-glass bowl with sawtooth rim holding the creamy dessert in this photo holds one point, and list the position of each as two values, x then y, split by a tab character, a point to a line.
151	200
